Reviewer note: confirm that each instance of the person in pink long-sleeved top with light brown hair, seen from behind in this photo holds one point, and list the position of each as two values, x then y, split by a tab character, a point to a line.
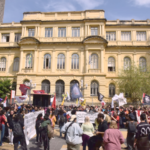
113	137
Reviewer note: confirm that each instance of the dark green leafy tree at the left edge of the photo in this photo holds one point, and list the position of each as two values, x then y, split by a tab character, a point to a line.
5	87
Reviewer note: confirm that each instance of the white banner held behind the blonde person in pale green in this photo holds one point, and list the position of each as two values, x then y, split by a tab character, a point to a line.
81	116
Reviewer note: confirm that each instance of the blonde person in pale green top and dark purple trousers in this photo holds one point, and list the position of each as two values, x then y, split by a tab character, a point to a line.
88	131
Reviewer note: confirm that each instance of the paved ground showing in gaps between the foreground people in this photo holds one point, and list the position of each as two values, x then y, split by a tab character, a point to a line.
56	144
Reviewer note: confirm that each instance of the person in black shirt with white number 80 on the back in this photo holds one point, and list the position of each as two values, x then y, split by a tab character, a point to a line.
142	133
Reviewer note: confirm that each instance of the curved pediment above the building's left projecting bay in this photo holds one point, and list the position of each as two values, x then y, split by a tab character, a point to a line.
28	41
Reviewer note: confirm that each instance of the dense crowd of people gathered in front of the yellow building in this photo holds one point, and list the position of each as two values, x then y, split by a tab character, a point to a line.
104	132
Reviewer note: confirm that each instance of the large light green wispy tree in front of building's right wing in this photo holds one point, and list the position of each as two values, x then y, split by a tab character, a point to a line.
134	81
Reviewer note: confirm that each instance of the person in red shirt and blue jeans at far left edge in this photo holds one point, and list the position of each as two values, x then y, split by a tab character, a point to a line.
2	126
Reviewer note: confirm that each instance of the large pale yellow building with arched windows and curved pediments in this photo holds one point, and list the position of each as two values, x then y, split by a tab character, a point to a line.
58	49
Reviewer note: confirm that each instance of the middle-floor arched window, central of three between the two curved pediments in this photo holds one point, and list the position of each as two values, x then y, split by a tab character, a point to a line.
61	61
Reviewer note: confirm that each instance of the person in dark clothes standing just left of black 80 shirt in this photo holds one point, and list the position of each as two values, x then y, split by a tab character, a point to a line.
131	130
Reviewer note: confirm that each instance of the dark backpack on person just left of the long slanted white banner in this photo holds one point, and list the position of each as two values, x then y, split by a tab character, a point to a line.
17	129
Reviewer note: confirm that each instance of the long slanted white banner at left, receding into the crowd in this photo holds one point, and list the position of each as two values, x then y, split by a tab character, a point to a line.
29	123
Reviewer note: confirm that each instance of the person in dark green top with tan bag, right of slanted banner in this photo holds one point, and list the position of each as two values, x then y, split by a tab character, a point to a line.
45	129
